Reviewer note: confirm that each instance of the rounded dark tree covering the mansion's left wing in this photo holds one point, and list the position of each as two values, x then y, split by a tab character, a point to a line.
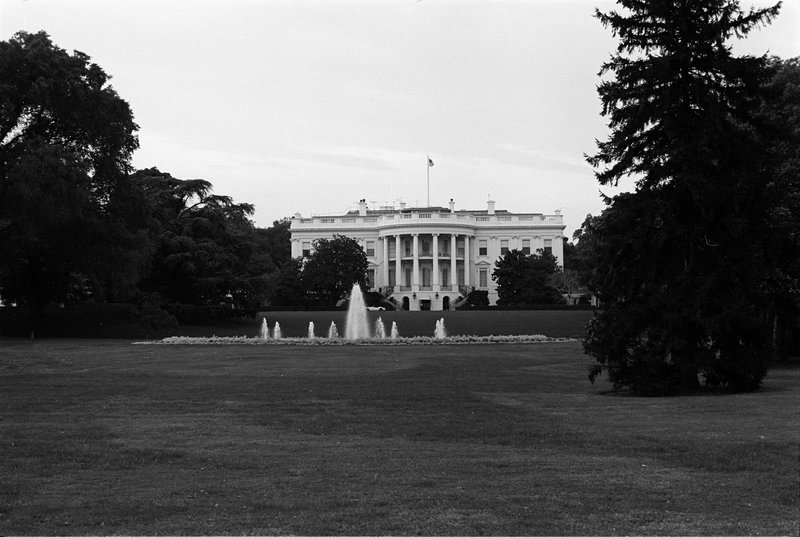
332	269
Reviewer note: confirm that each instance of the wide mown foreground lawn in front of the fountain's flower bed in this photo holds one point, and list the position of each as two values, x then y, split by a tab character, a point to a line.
105	437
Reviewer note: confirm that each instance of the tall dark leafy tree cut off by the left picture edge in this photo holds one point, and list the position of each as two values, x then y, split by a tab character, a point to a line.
66	139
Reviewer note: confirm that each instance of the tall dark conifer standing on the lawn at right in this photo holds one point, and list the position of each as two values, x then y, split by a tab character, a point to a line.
679	256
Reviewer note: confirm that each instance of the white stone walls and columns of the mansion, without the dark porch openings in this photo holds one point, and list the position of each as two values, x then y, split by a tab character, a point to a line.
472	226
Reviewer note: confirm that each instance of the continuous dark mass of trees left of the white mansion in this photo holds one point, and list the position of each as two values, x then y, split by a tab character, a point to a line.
77	223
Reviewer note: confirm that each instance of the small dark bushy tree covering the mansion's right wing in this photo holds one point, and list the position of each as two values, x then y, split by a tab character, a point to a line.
526	279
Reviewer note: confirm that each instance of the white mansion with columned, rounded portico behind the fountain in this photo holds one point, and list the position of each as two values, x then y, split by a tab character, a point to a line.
430	258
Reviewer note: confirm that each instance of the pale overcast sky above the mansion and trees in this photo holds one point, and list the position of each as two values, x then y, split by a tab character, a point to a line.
309	106
